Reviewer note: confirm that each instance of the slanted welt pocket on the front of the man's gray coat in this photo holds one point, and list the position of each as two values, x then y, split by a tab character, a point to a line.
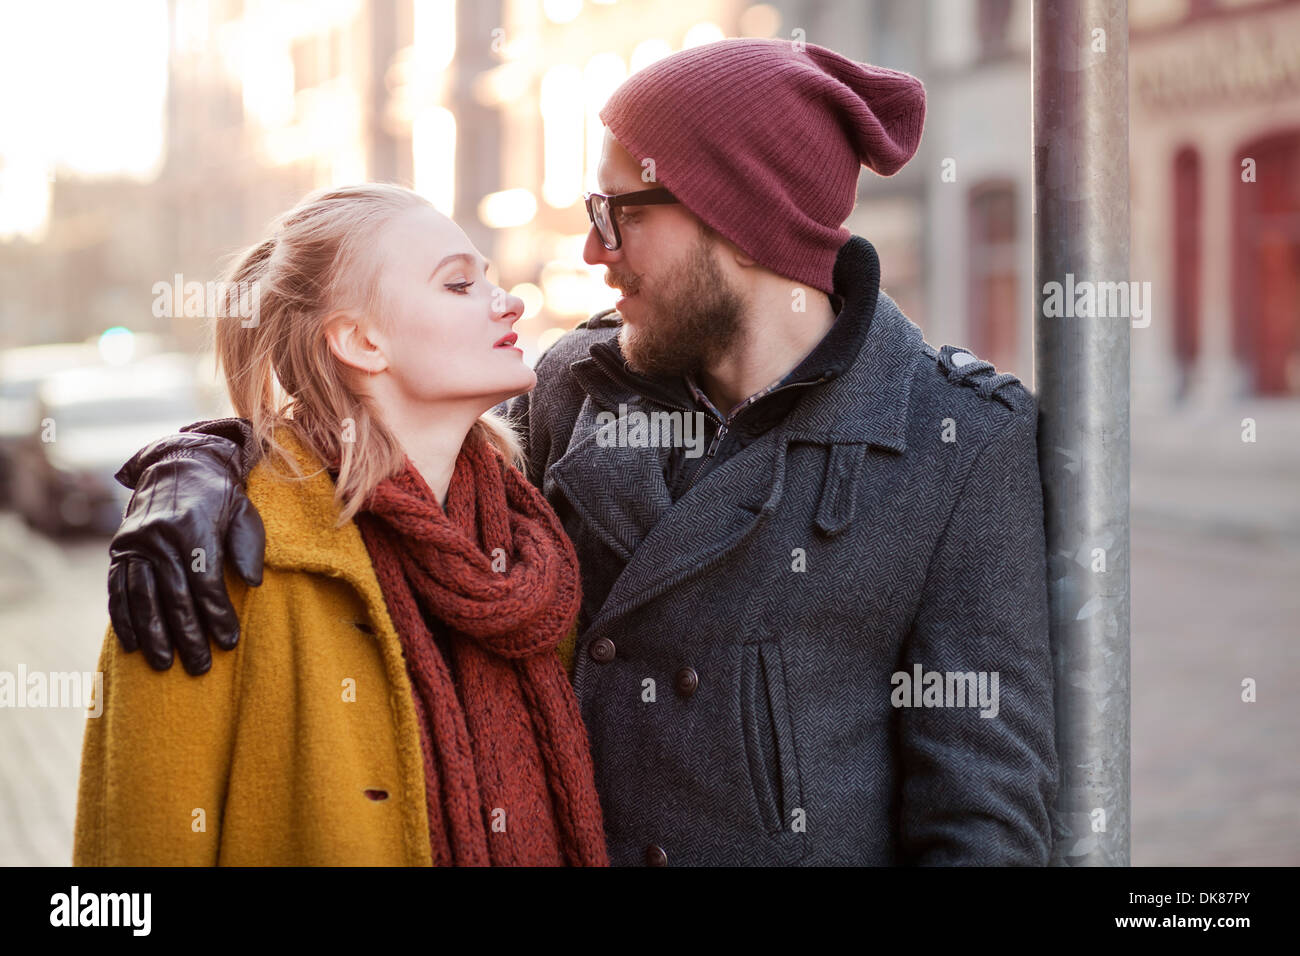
769	739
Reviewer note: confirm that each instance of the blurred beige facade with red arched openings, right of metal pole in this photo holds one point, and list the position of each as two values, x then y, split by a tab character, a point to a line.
1215	100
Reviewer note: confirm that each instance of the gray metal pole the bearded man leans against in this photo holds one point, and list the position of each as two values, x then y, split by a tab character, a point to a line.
1081	367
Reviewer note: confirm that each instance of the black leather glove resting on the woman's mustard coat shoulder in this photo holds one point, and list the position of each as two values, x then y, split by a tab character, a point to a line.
189	495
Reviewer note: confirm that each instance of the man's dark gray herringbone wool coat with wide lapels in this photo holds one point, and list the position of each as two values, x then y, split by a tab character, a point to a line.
739	647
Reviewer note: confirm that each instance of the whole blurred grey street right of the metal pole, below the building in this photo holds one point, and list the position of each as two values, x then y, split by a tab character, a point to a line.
1216	563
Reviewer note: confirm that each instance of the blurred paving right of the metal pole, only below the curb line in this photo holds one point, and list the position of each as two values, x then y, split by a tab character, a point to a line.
1215	781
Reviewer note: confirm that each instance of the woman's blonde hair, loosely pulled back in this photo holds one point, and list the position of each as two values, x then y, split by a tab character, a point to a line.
280	370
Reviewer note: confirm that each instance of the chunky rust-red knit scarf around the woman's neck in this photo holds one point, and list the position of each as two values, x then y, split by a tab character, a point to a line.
508	763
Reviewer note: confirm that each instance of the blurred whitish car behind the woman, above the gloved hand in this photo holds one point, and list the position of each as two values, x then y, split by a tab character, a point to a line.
88	422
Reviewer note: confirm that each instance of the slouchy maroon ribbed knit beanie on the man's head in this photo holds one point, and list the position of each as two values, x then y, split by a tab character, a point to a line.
764	141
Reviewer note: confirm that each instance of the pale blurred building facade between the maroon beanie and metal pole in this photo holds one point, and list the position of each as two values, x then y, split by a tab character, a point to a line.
980	178
